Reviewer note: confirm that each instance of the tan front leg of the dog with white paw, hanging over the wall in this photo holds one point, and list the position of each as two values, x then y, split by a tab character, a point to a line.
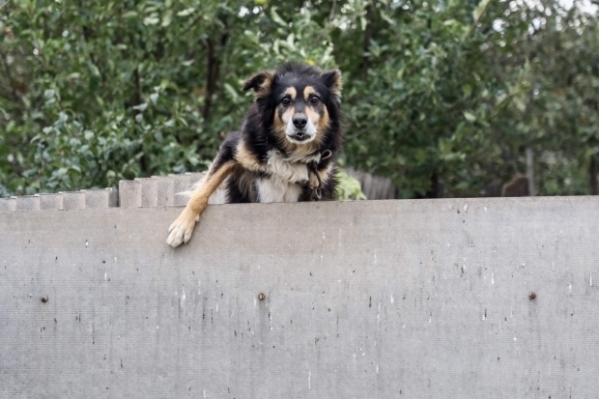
182	228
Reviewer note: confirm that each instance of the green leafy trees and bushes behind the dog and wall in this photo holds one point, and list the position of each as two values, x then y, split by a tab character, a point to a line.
442	96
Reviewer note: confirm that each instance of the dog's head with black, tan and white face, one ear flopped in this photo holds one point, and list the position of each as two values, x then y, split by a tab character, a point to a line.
298	101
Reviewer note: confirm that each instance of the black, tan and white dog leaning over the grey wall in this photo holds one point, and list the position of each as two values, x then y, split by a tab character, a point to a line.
285	149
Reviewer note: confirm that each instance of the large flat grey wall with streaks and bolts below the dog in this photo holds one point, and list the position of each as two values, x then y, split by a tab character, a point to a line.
382	299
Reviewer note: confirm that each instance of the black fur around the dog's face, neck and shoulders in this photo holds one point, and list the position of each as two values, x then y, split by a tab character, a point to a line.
257	130
